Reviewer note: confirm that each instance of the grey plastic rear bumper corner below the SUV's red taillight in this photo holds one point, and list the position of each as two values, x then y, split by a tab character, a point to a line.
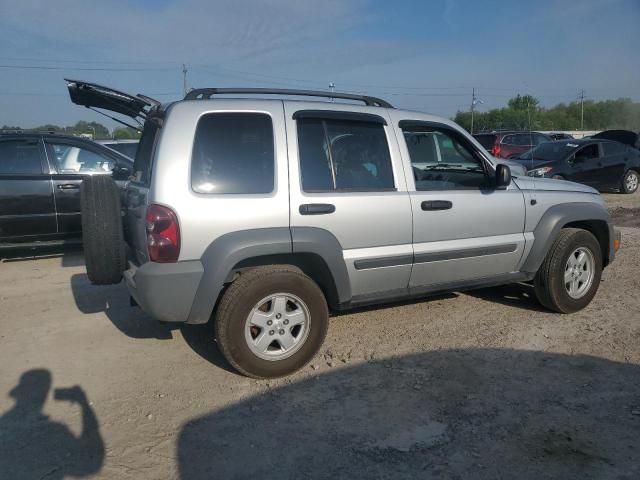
165	290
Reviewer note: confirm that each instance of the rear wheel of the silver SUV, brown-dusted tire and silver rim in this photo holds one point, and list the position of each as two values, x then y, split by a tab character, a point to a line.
271	321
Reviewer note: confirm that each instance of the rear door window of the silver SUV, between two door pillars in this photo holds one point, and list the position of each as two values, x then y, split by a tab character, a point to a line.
343	155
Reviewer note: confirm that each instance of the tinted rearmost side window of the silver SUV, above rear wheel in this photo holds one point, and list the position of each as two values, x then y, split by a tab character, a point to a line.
233	153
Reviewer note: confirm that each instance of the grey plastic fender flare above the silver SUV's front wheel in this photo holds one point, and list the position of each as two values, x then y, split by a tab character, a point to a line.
554	219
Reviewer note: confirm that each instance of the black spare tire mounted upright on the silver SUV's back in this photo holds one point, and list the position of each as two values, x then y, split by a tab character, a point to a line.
102	235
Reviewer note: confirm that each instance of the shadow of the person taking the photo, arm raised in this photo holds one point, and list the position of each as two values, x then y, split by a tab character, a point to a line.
33	446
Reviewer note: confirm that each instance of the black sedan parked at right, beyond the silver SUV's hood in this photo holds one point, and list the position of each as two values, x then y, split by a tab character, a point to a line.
601	164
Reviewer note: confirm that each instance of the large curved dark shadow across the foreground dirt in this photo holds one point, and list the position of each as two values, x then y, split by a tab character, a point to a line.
477	413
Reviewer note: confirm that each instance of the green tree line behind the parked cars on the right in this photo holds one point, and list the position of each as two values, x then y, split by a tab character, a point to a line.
523	112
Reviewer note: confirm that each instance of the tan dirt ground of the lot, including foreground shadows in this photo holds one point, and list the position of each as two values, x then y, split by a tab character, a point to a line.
484	384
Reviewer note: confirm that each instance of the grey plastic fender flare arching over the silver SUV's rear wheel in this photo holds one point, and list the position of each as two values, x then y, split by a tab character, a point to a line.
227	251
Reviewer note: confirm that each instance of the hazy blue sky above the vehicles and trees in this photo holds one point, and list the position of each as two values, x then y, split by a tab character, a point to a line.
422	55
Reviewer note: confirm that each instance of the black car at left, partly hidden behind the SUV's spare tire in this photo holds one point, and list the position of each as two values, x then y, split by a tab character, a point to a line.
40	176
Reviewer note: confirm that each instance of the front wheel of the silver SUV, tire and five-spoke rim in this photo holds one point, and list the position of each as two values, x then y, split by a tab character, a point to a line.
569	276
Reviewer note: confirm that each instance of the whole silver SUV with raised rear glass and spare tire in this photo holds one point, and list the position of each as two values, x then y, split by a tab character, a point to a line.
264	215
